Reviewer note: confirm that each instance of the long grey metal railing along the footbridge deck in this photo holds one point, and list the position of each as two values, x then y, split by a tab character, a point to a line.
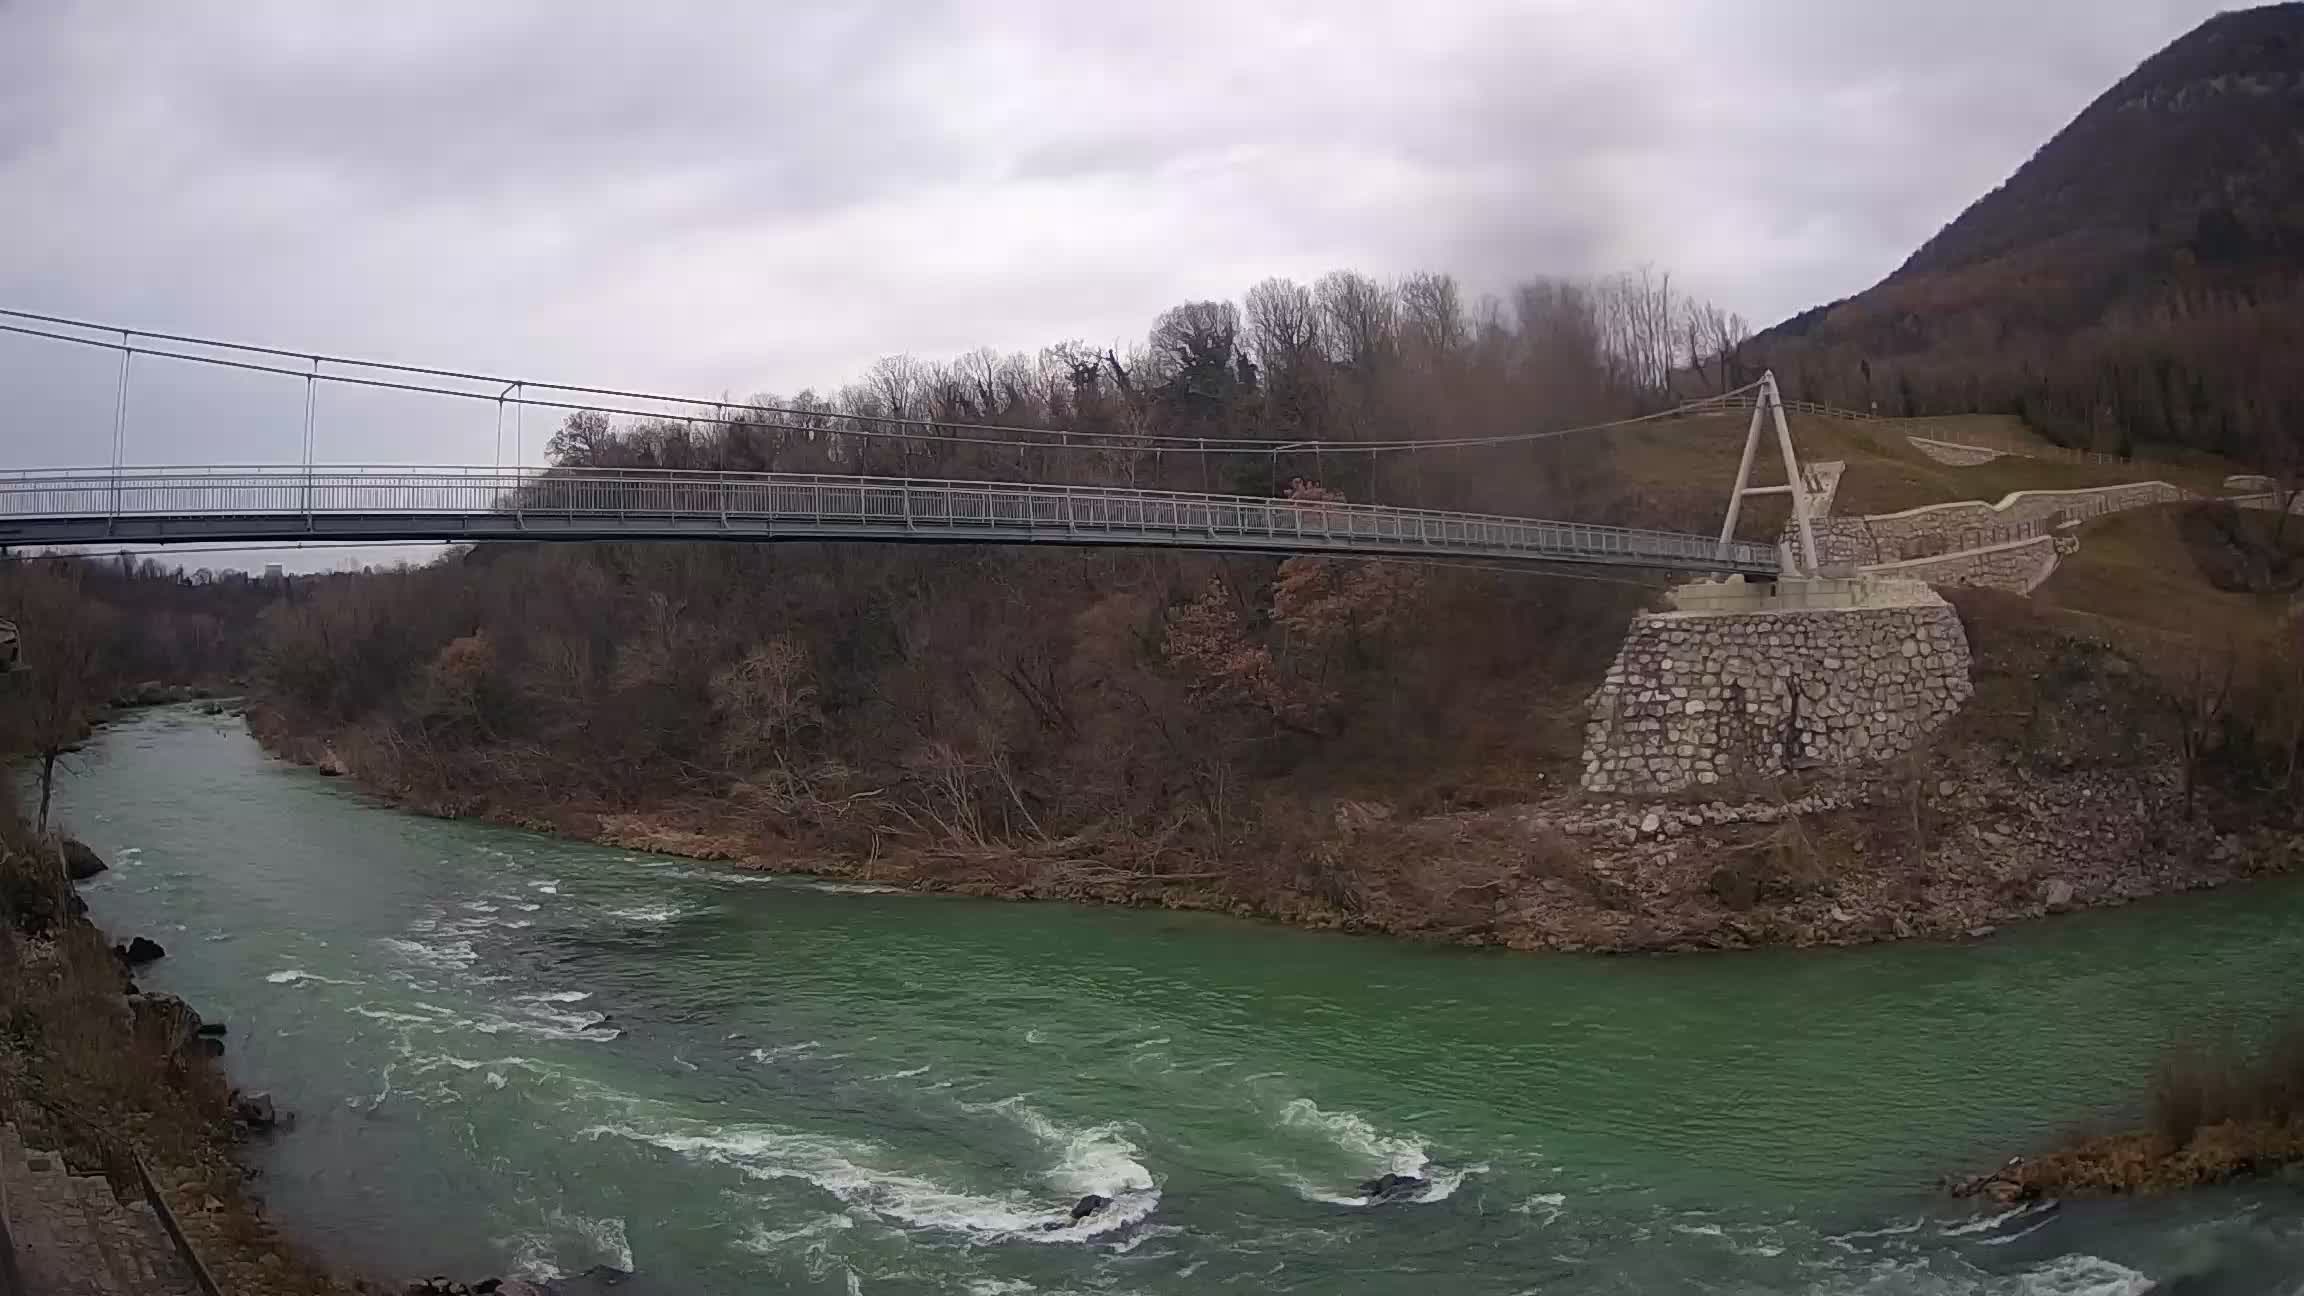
824	504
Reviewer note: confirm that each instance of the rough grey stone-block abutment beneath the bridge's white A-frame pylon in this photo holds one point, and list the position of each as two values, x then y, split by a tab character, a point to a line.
1695	700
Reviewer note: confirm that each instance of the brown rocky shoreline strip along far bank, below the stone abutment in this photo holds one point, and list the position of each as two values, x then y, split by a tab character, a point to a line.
1948	850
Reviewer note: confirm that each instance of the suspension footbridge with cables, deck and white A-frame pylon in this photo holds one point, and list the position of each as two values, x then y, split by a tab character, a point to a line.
271	504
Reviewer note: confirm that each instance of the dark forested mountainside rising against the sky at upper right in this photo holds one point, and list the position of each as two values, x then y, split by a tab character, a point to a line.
2137	282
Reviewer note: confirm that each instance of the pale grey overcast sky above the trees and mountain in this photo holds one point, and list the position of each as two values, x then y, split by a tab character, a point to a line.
761	197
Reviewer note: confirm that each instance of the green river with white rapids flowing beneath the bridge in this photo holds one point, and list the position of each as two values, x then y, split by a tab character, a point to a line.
510	1053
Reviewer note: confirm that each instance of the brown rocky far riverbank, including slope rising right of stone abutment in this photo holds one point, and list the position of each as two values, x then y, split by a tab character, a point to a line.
2066	783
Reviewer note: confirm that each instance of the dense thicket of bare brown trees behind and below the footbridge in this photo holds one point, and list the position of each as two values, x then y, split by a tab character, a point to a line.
957	698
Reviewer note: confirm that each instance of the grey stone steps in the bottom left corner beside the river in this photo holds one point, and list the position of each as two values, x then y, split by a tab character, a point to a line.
75	1237
